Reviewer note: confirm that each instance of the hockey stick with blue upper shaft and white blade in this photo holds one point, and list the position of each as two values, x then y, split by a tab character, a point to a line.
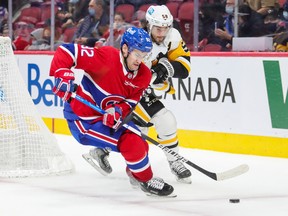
239	170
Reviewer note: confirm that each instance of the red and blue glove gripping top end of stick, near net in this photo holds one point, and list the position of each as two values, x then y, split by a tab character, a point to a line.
64	84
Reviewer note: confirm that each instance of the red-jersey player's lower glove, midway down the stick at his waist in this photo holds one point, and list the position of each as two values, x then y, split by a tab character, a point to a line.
113	116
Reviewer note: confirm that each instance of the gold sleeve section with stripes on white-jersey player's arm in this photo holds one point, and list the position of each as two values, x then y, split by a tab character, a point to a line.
181	54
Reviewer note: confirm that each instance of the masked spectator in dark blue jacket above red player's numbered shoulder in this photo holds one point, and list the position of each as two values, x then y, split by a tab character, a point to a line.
95	24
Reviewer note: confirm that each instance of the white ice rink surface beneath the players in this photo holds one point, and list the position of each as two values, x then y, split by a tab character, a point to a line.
263	190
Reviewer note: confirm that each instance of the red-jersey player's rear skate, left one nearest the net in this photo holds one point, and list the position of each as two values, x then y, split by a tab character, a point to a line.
101	157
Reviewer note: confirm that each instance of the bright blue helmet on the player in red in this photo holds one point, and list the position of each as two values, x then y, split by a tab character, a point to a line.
137	38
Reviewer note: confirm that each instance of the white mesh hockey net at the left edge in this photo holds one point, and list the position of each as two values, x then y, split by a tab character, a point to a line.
27	147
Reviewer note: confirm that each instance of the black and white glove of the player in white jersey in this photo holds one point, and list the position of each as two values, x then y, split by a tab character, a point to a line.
163	70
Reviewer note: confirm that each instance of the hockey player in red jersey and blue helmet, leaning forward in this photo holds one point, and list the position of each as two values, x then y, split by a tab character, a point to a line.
115	81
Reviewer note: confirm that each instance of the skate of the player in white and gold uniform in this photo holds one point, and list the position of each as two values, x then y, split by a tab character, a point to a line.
180	171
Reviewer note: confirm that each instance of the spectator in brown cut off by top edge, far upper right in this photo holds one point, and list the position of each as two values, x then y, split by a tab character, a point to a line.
262	6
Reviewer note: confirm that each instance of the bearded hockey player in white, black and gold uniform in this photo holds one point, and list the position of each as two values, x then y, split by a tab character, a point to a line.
170	58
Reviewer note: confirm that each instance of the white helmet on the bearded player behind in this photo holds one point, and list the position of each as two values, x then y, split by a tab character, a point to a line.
159	15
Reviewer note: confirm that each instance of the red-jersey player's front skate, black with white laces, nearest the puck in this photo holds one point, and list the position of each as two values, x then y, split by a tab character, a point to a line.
157	187
